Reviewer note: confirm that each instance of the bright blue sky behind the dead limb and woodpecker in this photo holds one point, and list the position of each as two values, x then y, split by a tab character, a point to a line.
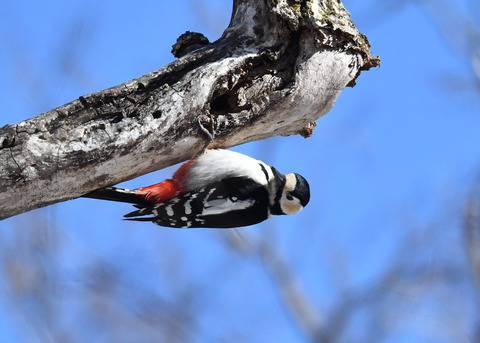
389	167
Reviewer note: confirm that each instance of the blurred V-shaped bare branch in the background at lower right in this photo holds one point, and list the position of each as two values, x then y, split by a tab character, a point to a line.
398	295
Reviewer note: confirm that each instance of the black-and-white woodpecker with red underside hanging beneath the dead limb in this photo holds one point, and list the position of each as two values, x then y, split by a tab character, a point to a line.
218	189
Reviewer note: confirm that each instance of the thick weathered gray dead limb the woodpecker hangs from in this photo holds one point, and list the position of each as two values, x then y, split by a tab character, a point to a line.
278	67
